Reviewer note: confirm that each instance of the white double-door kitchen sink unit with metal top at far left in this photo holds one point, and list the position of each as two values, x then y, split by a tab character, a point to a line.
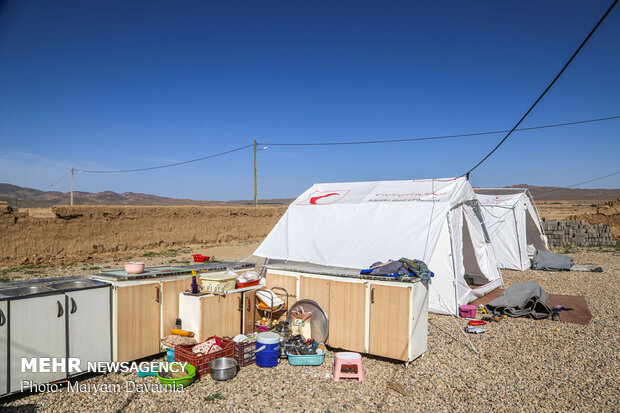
56	317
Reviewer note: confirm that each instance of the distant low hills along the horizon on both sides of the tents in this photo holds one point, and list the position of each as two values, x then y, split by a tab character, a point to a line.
20	197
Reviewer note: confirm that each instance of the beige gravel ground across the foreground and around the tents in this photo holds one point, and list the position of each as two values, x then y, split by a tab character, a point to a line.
523	365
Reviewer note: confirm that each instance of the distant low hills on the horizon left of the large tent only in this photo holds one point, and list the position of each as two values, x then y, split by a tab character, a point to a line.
20	197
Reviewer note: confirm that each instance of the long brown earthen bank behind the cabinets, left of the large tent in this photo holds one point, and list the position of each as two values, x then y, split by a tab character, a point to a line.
81	233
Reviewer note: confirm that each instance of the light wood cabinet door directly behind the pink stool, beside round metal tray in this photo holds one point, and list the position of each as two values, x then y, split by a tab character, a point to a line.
347	325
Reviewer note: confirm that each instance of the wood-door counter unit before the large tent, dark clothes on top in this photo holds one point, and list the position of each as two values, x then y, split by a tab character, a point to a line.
383	316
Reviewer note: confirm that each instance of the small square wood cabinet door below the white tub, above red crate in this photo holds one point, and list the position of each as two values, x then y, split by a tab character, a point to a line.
221	316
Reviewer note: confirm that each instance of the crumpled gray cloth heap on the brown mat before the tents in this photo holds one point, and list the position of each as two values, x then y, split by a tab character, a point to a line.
523	299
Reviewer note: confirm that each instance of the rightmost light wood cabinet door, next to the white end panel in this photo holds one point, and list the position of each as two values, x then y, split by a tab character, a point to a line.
389	321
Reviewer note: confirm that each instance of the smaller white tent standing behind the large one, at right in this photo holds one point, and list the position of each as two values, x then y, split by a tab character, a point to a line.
513	224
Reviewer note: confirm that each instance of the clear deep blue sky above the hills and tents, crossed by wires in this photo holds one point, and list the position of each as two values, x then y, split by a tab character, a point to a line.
118	85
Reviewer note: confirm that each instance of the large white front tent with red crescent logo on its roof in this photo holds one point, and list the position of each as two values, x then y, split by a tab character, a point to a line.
355	224
